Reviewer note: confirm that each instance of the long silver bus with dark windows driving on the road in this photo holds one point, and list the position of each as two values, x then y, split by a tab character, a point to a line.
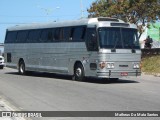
97	47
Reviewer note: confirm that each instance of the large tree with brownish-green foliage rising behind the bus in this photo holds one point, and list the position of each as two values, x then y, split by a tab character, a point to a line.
138	12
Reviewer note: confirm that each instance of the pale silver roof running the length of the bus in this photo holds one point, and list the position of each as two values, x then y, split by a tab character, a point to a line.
80	22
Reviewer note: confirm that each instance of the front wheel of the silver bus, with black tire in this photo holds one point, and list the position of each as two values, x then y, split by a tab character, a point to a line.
79	74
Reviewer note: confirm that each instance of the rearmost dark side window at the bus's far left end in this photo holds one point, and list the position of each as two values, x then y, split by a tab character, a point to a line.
11	37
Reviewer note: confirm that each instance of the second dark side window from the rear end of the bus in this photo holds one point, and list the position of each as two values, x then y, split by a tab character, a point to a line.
22	36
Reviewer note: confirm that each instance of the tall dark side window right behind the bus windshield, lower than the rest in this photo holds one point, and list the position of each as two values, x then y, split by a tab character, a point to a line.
92	44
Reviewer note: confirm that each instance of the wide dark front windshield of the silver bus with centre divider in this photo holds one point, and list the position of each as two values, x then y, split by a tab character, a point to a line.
120	38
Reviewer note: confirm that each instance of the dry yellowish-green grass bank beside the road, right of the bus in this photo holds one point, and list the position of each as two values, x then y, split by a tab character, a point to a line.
151	64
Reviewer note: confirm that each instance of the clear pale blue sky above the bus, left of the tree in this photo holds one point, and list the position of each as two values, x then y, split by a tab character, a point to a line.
16	12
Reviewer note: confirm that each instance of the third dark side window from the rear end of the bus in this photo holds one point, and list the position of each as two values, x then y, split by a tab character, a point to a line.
34	36
